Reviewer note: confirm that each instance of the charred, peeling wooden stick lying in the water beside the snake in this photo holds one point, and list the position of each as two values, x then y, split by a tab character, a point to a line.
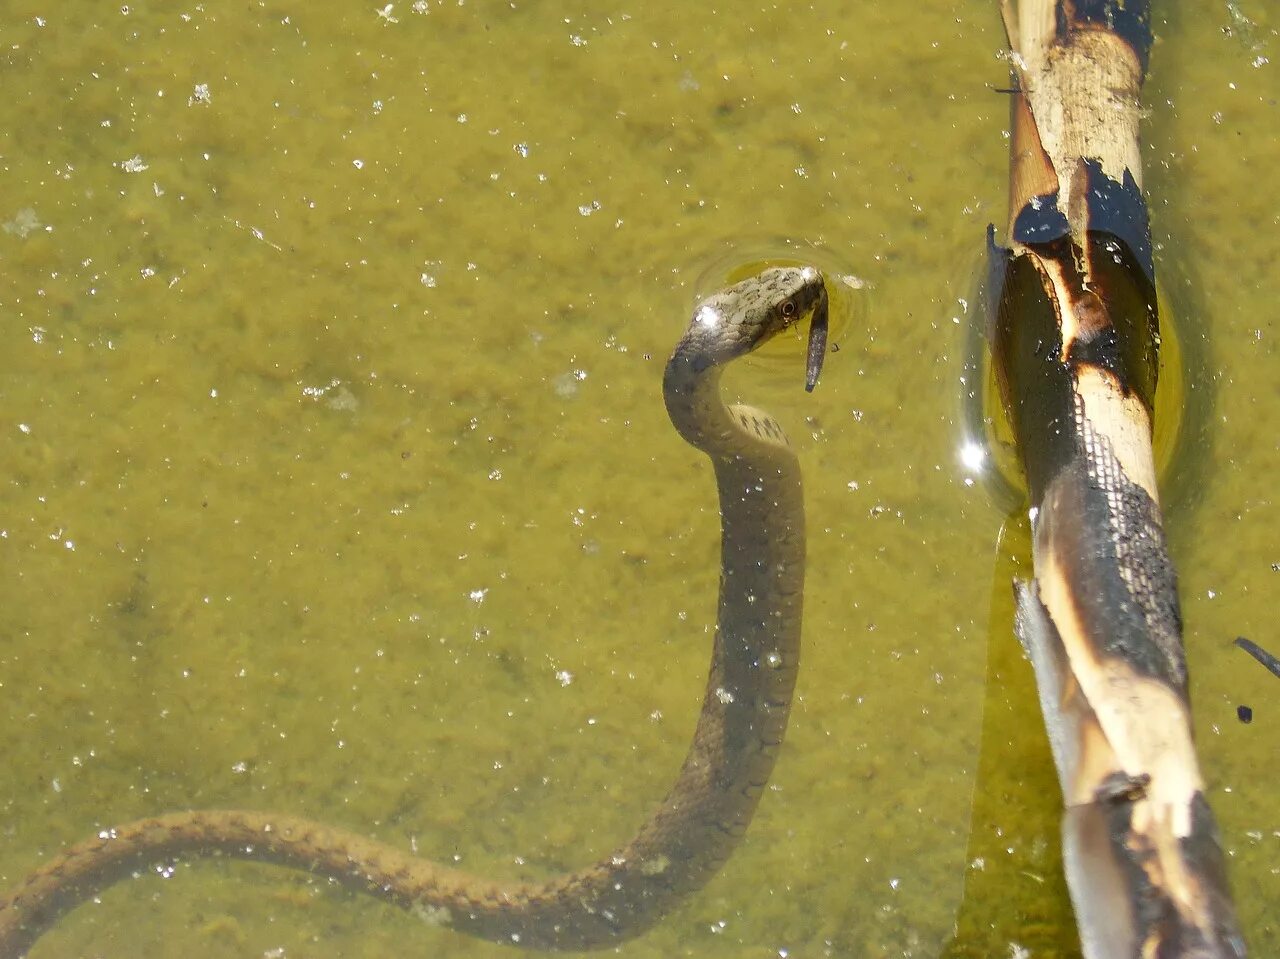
1076	337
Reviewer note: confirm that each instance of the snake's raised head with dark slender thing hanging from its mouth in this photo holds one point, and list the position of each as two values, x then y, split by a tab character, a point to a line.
744	317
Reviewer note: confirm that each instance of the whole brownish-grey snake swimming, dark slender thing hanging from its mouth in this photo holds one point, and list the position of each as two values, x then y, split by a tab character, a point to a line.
689	837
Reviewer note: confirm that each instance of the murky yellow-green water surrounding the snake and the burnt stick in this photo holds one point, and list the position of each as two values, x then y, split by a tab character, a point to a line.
337	478
